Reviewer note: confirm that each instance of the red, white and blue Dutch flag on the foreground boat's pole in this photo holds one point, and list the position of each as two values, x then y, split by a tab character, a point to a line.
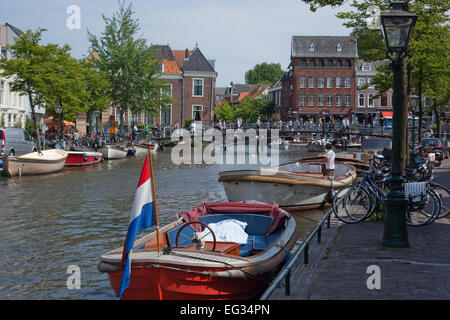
142	217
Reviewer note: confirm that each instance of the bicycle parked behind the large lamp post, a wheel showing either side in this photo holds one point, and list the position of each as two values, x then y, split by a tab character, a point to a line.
358	204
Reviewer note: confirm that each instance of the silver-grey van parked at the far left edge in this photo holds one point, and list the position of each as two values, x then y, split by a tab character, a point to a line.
15	141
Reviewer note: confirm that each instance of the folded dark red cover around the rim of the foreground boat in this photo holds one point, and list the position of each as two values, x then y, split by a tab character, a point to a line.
207	208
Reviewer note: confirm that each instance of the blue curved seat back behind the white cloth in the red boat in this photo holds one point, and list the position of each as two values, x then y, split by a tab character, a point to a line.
257	224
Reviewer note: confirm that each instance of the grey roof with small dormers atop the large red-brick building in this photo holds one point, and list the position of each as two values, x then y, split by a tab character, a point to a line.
324	46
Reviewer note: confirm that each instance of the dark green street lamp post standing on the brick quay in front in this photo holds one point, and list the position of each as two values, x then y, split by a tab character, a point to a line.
396	26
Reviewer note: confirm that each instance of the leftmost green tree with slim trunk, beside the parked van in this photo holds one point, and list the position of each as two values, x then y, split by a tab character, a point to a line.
31	70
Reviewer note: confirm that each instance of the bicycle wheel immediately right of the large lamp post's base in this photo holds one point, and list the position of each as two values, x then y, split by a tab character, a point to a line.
423	210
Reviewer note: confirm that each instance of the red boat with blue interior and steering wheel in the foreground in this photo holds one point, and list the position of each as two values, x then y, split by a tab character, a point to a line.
192	269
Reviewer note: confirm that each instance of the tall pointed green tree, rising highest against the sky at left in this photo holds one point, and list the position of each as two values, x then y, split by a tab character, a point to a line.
131	66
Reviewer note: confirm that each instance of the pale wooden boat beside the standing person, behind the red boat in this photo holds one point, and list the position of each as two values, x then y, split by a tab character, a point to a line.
298	185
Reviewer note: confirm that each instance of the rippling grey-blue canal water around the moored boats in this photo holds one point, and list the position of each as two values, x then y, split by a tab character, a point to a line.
51	222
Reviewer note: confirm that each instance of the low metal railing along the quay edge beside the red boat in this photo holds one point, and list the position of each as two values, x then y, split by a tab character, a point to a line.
285	273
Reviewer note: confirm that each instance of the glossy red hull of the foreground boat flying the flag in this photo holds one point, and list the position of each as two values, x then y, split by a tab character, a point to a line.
169	284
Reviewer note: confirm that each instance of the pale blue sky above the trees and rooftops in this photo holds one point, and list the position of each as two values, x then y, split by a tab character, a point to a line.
237	34
